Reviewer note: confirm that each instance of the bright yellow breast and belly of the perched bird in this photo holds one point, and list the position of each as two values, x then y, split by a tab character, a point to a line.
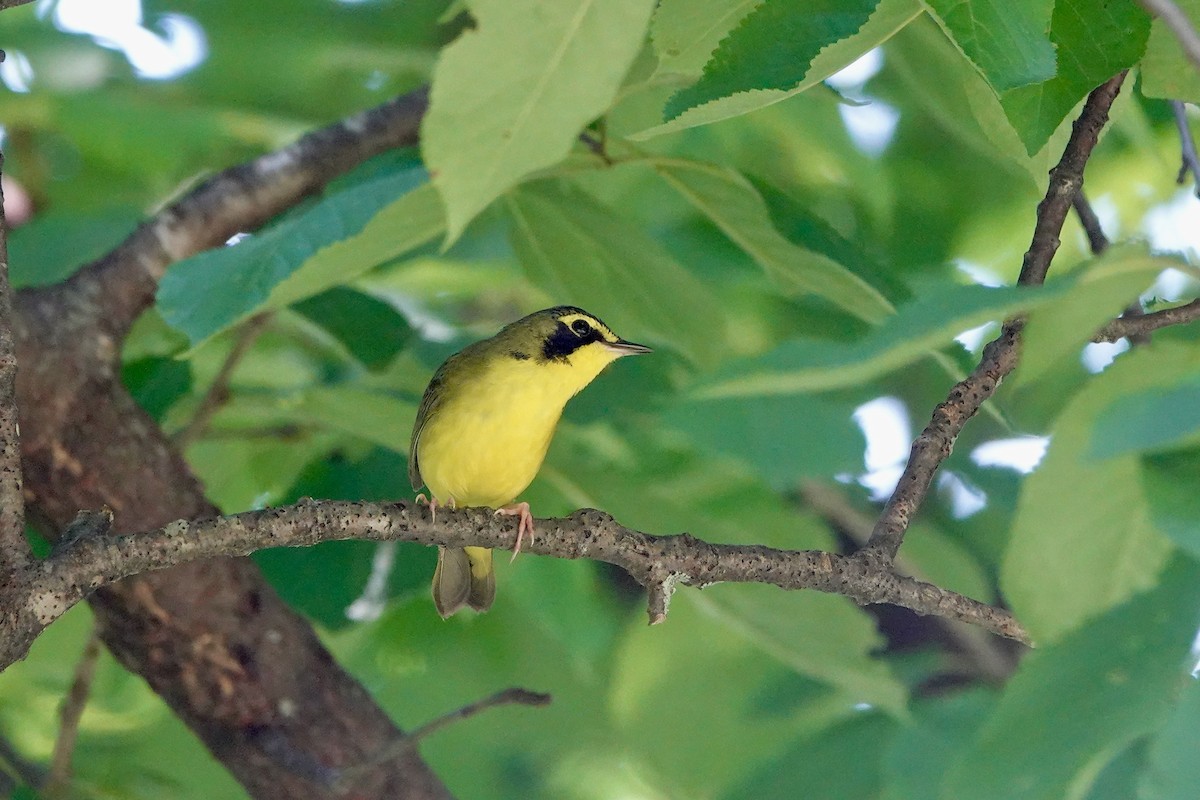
485	447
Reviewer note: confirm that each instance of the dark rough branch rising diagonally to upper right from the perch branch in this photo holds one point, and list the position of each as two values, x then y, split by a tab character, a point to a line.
934	444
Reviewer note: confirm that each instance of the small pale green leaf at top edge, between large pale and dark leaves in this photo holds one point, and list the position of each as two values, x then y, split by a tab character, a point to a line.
686	33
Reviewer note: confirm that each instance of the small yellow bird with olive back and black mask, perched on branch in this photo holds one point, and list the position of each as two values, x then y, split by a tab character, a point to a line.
485	424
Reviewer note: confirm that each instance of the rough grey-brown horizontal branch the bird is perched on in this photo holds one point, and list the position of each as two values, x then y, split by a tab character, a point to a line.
82	567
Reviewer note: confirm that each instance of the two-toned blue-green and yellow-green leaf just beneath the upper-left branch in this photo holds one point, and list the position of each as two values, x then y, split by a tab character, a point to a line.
332	243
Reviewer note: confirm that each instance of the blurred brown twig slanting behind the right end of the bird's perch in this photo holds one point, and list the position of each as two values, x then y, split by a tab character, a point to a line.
987	659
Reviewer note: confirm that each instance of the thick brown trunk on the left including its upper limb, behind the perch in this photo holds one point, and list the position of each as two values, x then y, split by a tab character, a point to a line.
242	670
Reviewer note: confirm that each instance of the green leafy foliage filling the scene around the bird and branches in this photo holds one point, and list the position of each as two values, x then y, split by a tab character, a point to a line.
802	272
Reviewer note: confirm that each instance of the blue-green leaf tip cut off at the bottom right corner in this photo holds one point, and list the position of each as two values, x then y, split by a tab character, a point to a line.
1174	771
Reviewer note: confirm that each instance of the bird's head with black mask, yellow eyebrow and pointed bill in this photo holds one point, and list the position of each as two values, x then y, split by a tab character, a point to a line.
567	338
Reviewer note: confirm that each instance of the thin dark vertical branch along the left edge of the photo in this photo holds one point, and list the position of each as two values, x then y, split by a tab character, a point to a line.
15	552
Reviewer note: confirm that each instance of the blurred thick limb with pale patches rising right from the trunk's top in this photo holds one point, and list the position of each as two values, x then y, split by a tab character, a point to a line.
239	200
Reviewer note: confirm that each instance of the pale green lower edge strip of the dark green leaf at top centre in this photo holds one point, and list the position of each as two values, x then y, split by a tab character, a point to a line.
889	19
